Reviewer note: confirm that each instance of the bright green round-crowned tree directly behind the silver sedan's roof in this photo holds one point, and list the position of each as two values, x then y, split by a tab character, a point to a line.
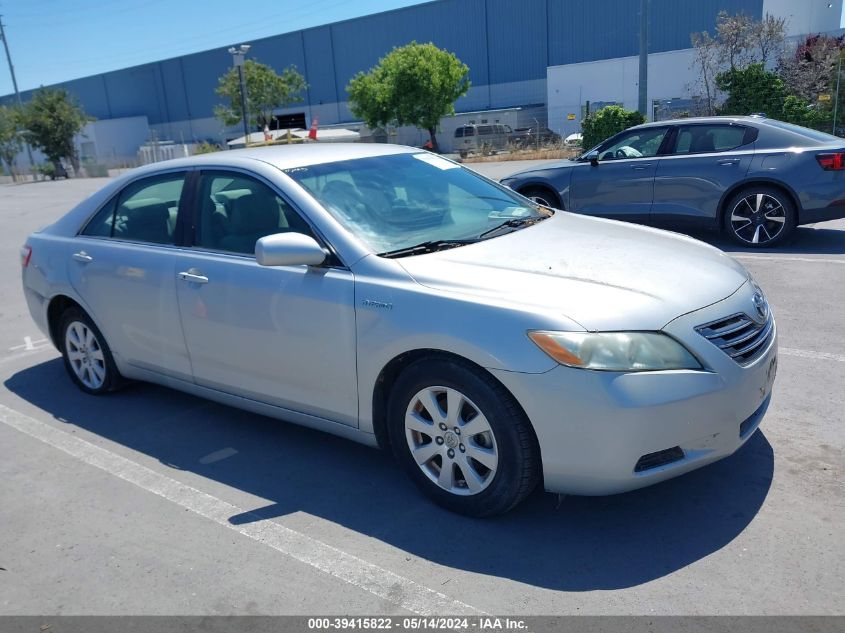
416	84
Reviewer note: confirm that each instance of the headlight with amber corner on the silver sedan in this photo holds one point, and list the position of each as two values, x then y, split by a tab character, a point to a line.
615	351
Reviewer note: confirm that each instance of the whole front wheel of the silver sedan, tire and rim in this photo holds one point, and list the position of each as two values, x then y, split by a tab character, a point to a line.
462	438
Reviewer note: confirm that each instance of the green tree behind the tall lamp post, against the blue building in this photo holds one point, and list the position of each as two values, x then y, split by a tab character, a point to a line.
266	91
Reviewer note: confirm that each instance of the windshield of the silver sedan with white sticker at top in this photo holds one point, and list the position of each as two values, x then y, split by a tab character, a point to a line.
402	200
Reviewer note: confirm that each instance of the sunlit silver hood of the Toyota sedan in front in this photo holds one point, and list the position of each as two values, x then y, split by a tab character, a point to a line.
605	275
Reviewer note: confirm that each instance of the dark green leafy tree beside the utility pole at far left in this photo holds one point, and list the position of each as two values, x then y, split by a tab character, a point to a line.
51	119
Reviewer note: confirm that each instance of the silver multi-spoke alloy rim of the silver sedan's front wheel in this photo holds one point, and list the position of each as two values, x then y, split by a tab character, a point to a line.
451	440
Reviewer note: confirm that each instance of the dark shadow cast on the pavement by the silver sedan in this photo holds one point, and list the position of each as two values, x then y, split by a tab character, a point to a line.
569	544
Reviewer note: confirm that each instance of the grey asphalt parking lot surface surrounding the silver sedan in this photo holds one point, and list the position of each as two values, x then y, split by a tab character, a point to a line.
149	501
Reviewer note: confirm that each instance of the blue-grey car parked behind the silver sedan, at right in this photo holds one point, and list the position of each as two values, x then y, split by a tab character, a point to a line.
754	178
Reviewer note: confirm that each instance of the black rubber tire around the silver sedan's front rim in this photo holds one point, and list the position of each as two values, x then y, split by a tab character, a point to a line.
518	468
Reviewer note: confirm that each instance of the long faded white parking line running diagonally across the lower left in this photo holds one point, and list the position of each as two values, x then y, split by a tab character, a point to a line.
380	582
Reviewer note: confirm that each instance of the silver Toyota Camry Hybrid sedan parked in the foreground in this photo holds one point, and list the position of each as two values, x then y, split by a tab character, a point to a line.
393	297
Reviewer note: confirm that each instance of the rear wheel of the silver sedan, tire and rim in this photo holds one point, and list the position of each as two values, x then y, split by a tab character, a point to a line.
97	356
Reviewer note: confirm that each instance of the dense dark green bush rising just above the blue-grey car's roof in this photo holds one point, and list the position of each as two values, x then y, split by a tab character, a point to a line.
752	89
